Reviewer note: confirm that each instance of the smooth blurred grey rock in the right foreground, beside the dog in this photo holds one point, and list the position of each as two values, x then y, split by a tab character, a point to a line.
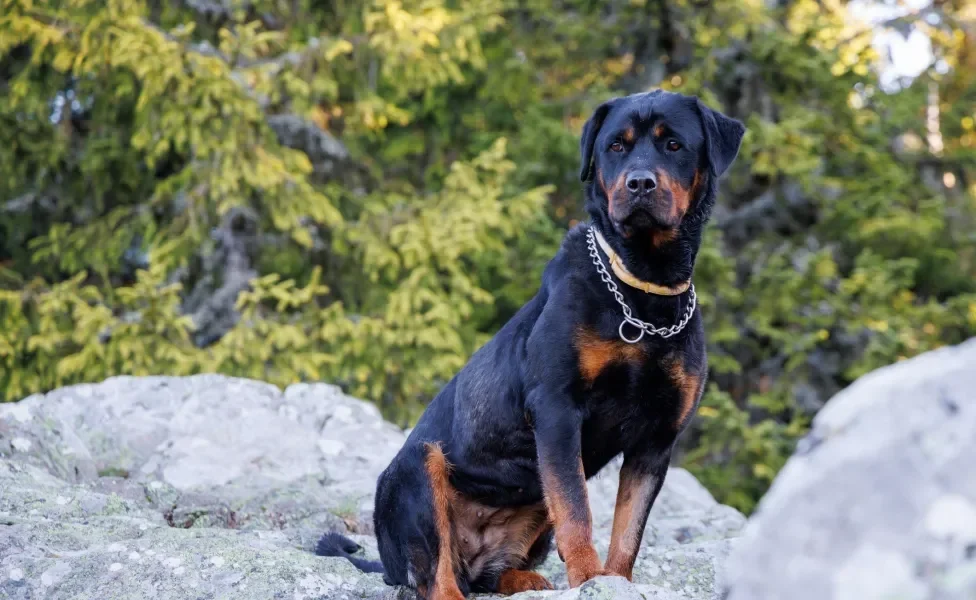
879	501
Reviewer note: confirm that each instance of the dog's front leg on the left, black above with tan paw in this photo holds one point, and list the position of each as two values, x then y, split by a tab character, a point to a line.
557	435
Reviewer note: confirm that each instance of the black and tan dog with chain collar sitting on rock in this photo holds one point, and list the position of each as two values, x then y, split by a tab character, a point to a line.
498	462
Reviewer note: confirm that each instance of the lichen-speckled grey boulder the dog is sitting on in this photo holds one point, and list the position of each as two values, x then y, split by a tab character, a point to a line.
213	487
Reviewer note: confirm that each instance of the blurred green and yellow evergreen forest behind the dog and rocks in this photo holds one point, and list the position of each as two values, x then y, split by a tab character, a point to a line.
363	191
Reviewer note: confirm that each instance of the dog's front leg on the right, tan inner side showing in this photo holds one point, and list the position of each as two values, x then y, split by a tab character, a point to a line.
641	478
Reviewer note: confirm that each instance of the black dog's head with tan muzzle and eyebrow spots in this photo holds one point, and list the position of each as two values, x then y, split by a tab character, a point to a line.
651	159
